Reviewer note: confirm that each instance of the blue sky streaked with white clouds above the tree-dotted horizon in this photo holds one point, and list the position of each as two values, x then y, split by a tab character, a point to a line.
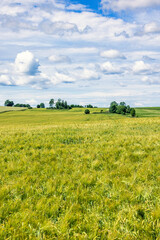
85	52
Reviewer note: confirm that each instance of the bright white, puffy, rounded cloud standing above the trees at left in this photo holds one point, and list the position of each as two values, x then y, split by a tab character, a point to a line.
26	63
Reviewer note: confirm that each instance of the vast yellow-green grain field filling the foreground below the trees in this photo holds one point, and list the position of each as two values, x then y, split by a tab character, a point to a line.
67	175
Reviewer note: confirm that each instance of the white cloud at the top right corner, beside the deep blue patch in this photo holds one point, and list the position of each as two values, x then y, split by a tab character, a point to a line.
118	5
